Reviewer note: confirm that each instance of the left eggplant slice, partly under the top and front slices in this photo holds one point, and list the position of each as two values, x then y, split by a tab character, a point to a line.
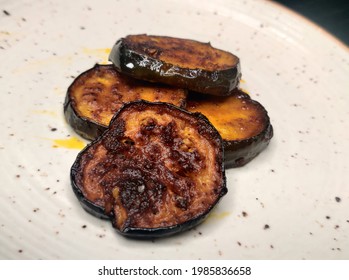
95	95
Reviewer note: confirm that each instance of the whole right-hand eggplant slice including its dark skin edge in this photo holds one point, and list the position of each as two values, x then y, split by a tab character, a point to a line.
242	122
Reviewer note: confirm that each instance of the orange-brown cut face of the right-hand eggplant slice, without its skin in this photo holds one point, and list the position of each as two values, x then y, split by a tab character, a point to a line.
236	117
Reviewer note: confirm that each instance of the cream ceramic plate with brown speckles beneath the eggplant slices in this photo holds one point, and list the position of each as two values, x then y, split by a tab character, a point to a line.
291	202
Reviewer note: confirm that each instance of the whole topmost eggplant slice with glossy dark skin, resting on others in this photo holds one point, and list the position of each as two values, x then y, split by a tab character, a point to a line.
178	62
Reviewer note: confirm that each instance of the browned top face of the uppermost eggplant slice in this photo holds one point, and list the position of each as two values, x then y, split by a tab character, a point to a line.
182	52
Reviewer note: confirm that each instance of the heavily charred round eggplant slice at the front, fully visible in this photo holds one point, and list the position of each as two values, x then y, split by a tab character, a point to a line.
157	170
